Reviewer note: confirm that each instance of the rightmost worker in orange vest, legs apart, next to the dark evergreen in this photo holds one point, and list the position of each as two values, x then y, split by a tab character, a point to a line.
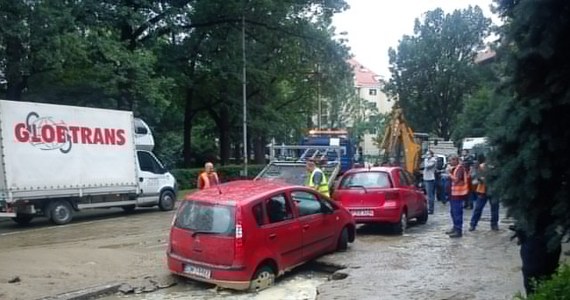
482	197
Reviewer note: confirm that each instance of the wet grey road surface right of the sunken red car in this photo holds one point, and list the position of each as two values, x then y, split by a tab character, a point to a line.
425	263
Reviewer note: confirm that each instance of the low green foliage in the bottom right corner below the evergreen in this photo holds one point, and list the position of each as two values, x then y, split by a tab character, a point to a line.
556	288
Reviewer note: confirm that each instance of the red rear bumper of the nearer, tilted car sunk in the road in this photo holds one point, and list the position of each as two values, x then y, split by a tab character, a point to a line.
237	278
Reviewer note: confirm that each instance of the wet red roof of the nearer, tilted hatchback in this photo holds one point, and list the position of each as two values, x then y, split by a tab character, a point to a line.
239	190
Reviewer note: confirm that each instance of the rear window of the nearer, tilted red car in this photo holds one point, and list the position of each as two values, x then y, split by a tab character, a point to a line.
205	217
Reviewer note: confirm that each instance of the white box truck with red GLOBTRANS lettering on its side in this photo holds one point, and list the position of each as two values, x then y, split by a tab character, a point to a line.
57	159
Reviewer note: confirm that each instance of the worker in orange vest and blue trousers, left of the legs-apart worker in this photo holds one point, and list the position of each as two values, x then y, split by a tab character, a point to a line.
459	193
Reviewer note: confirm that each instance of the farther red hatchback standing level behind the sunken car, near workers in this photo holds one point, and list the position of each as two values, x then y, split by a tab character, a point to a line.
382	195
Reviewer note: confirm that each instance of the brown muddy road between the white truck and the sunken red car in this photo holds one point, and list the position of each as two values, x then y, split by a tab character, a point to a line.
98	247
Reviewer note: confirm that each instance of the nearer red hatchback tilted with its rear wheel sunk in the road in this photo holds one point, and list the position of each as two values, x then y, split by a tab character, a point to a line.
246	233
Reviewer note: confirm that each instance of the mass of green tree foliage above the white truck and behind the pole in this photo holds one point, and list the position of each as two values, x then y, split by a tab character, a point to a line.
178	65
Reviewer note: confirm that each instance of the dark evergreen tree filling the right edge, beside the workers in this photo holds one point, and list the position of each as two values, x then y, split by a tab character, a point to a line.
531	137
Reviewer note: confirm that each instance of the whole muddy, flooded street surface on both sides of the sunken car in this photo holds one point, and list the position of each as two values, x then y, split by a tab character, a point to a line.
108	246
